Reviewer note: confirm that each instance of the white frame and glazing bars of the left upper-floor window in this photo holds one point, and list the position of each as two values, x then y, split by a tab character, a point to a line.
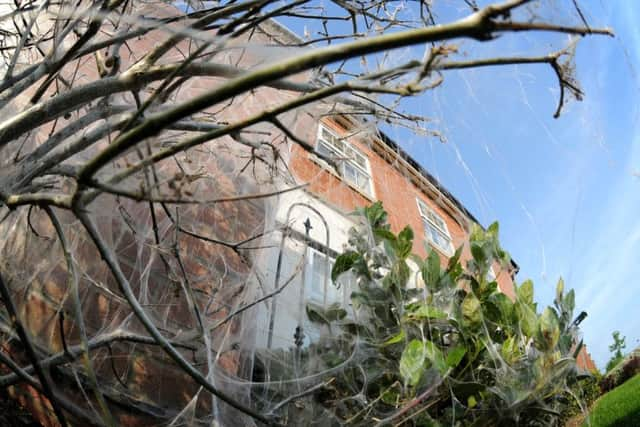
346	154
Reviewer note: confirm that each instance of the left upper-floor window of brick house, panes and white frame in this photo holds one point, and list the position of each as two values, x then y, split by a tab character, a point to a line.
352	164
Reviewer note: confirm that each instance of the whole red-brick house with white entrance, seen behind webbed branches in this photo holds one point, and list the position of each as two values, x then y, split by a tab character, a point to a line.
373	168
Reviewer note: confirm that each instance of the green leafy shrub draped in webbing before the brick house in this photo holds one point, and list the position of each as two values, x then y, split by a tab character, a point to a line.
475	357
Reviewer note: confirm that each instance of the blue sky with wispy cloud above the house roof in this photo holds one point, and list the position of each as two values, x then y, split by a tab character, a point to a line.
566	191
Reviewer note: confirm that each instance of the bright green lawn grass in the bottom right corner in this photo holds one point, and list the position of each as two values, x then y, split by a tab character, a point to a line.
618	408
